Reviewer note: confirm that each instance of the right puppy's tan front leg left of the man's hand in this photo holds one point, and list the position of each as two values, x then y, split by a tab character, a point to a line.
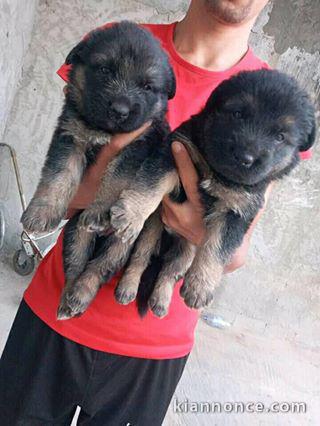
141	199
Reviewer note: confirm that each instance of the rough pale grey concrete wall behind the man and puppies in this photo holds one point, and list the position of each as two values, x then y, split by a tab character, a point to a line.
271	350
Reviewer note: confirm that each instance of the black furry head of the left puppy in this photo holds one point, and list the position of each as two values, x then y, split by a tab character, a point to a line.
124	65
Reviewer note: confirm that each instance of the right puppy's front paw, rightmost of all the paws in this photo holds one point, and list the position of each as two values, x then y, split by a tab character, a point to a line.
196	293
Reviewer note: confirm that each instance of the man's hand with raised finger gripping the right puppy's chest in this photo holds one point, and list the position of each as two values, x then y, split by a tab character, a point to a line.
187	218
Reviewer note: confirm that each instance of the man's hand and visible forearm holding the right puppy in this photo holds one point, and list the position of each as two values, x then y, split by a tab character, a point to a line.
187	218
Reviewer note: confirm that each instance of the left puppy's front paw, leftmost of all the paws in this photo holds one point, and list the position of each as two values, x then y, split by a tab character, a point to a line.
42	218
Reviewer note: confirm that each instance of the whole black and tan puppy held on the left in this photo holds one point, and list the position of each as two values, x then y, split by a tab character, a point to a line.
120	79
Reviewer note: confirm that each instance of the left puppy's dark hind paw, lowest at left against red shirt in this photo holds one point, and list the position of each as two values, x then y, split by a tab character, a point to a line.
74	302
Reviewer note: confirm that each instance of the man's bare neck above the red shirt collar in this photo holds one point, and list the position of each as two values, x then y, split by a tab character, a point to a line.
210	44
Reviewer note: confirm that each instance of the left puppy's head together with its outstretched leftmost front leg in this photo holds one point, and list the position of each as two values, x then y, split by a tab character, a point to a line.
120	79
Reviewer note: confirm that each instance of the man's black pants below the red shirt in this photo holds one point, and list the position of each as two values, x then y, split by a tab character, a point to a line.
44	376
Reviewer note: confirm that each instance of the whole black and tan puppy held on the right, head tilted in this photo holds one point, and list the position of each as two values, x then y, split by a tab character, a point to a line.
249	134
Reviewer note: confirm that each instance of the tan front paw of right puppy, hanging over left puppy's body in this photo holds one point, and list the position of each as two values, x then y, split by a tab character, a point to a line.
126	222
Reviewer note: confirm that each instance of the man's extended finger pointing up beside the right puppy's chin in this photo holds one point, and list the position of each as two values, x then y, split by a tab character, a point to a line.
187	172
